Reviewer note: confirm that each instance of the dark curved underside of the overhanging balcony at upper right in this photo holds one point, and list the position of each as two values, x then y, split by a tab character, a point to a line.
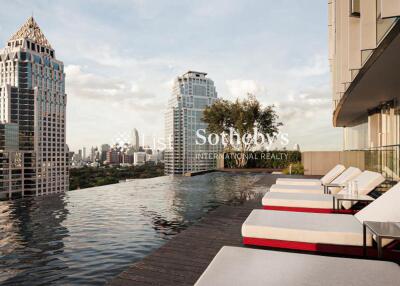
376	83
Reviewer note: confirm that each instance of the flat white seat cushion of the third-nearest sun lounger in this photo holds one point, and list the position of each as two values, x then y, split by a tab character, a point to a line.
300	200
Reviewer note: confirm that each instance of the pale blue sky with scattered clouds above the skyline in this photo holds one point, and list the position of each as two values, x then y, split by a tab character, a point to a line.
121	58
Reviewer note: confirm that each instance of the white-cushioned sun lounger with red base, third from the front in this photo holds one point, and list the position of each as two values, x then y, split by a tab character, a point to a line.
322	203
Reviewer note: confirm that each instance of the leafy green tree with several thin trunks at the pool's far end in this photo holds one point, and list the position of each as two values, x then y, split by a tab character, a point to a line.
244	117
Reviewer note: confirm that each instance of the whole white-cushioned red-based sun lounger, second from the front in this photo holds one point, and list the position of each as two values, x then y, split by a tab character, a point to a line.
319	232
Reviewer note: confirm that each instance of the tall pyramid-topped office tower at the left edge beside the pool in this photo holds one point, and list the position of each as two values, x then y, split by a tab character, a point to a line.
33	150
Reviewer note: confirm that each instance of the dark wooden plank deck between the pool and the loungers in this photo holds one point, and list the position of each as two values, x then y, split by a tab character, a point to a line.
183	259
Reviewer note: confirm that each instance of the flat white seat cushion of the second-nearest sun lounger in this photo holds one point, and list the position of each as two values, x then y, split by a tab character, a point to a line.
338	229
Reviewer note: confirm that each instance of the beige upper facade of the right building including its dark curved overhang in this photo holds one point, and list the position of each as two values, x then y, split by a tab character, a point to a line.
363	57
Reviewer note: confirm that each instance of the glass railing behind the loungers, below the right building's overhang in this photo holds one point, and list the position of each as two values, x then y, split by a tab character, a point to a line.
385	160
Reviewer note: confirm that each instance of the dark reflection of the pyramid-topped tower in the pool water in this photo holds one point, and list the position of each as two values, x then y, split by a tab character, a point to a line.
33	233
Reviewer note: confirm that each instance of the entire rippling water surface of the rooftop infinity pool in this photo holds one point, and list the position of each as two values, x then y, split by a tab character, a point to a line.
90	235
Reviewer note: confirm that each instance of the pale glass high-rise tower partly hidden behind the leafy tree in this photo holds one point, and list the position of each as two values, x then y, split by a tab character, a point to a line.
191	93
